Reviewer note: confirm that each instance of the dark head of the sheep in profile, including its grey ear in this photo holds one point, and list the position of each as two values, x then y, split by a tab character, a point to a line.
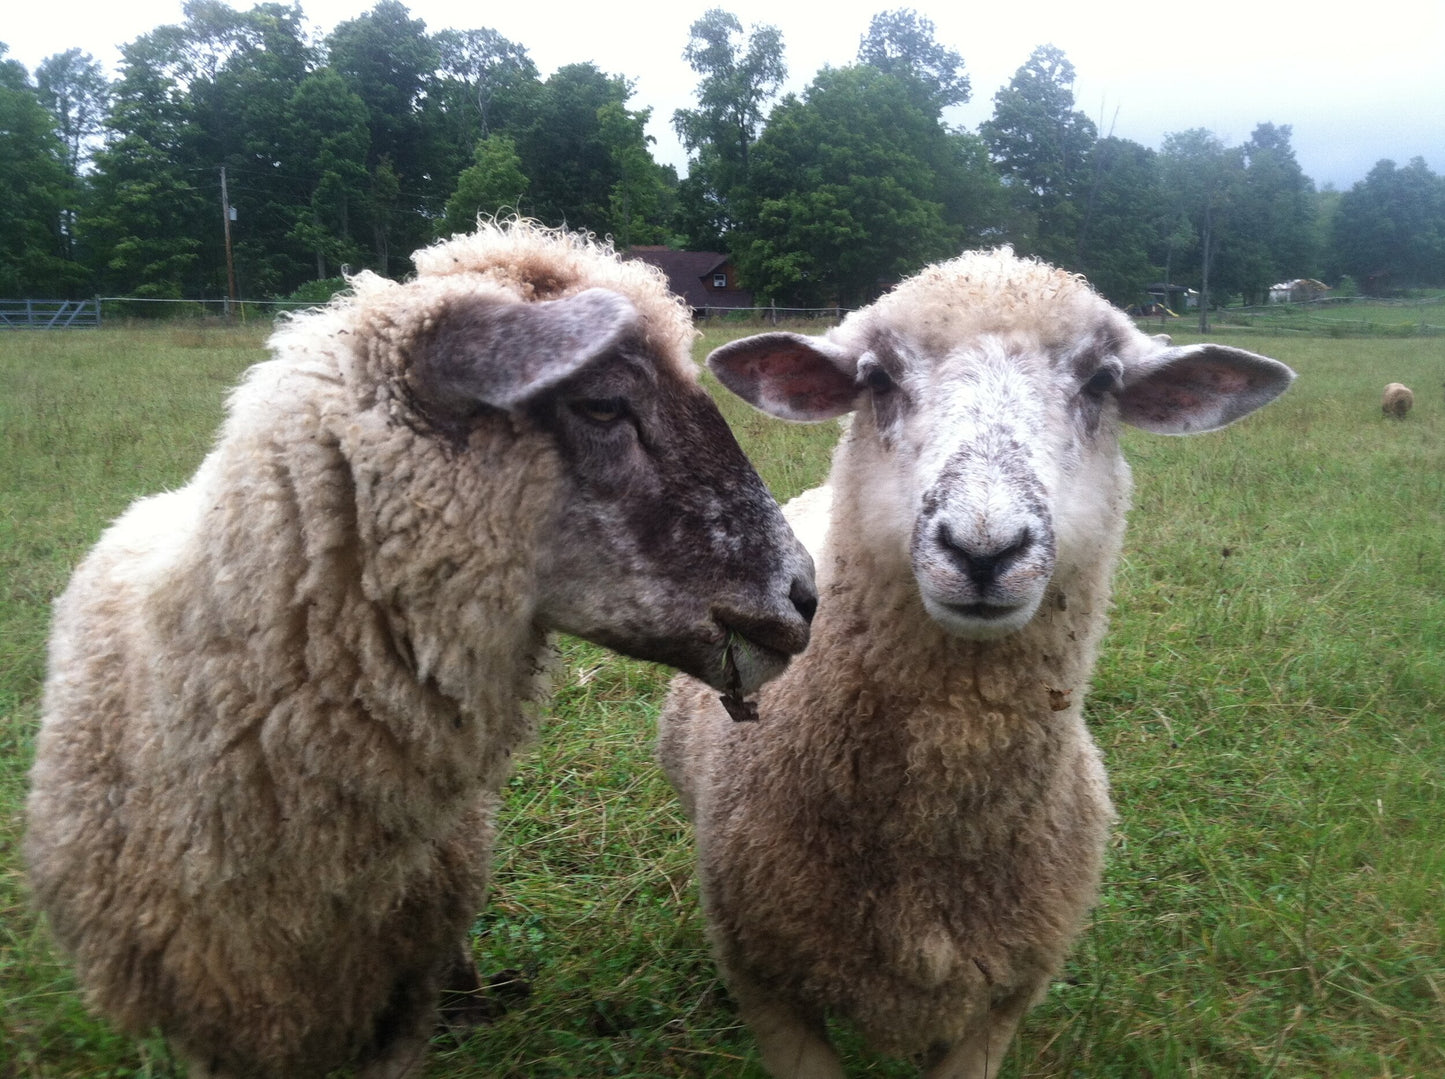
657	537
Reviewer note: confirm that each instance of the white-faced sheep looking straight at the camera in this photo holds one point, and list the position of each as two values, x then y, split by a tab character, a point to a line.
914	831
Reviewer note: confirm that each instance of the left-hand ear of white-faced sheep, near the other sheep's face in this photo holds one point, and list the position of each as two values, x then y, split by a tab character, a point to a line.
790	376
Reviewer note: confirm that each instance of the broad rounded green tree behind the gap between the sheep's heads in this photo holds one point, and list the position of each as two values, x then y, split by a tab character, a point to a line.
852	190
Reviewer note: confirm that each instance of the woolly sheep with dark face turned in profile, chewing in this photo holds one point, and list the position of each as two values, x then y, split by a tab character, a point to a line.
282	700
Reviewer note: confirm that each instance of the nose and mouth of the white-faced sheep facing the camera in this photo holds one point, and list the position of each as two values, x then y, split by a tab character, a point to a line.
979	577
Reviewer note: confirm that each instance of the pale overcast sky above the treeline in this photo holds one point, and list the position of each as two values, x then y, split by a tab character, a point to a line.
1356	83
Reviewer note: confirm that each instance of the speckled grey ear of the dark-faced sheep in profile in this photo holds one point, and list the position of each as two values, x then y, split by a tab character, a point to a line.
506	355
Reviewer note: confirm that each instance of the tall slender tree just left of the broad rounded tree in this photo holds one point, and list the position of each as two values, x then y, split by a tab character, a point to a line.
739	76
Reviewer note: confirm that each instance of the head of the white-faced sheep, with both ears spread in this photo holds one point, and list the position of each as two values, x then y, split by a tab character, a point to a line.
983	456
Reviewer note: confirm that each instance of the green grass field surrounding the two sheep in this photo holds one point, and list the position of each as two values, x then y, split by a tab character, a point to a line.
1271	703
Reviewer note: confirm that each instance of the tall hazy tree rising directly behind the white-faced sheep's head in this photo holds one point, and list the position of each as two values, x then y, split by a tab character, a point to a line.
1041	145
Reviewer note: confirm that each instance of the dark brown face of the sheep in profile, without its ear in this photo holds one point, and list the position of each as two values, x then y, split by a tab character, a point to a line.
667	545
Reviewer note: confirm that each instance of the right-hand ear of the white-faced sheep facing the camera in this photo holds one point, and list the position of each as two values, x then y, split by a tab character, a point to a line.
1199	388
